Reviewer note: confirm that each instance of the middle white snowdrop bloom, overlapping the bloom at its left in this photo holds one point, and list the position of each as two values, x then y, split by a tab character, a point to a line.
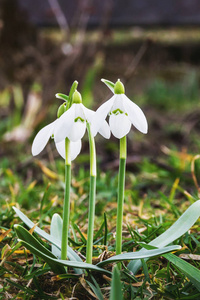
72	124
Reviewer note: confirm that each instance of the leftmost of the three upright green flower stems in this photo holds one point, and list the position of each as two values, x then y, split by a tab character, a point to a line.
66	206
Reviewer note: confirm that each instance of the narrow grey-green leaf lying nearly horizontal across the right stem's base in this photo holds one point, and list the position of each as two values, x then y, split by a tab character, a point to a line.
139	254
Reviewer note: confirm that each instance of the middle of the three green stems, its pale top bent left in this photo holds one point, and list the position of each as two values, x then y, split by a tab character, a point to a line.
91	214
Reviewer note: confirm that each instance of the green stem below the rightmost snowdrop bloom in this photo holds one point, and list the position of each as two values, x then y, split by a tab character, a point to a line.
120	199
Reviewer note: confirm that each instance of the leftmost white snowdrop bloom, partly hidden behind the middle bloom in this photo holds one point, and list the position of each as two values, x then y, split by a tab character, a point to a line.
44	135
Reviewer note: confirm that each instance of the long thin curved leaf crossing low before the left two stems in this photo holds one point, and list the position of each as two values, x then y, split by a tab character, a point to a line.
66	263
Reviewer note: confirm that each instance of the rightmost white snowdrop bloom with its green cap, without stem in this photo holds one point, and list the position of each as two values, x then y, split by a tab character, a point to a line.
123	113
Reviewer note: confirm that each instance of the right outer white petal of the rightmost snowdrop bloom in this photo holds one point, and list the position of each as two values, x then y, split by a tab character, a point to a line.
136	115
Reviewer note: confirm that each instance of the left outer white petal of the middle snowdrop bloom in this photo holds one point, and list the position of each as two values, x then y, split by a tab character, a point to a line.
64	124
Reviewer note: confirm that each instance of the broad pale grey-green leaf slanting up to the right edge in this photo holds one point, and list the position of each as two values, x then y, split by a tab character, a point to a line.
181	226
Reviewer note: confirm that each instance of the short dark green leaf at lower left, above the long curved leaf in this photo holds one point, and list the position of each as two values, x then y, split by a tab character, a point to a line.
25	236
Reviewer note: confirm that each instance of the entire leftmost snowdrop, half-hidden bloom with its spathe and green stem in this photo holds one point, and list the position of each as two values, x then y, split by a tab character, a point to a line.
68	150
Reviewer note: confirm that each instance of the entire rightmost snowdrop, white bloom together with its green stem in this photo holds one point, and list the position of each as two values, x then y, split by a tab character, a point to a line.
122	114
